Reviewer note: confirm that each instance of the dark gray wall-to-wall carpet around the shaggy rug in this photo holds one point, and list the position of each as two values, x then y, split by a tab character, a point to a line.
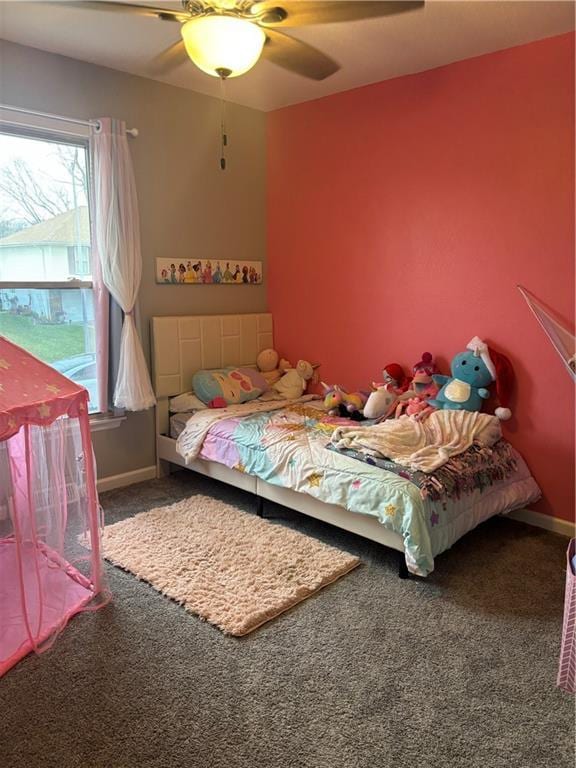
373	672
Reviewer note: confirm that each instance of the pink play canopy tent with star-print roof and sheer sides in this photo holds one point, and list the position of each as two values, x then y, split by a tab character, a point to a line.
50	527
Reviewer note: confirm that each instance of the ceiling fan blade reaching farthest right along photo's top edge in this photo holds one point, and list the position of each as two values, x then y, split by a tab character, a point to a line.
299	13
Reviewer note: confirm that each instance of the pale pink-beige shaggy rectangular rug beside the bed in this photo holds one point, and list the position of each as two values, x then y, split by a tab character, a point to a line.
229	567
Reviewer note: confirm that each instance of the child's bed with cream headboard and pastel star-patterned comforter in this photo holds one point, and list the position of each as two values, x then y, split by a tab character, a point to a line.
377	502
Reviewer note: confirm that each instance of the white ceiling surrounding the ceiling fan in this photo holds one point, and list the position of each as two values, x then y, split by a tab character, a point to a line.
368	51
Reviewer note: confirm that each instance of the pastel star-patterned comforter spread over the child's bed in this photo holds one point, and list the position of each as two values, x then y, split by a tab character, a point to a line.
287	446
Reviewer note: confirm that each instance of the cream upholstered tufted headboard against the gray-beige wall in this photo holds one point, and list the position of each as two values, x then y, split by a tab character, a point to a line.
183	345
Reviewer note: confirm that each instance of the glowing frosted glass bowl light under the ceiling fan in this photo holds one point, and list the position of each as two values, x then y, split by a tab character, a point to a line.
220	43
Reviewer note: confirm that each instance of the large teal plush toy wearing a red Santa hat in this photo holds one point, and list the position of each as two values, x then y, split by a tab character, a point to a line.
472	373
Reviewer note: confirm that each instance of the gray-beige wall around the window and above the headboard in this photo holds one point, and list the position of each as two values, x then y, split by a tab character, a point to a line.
189	208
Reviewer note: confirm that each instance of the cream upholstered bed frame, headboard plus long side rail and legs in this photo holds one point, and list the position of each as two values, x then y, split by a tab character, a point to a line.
181	346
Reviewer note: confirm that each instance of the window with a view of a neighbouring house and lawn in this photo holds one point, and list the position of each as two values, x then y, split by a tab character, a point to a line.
46	300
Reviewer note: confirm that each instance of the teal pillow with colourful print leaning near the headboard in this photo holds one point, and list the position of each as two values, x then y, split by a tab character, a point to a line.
228	386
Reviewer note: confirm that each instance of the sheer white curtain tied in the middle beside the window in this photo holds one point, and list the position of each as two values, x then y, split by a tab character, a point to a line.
117	244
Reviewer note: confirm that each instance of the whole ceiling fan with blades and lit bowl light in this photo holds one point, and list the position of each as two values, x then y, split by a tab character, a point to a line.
225	38
